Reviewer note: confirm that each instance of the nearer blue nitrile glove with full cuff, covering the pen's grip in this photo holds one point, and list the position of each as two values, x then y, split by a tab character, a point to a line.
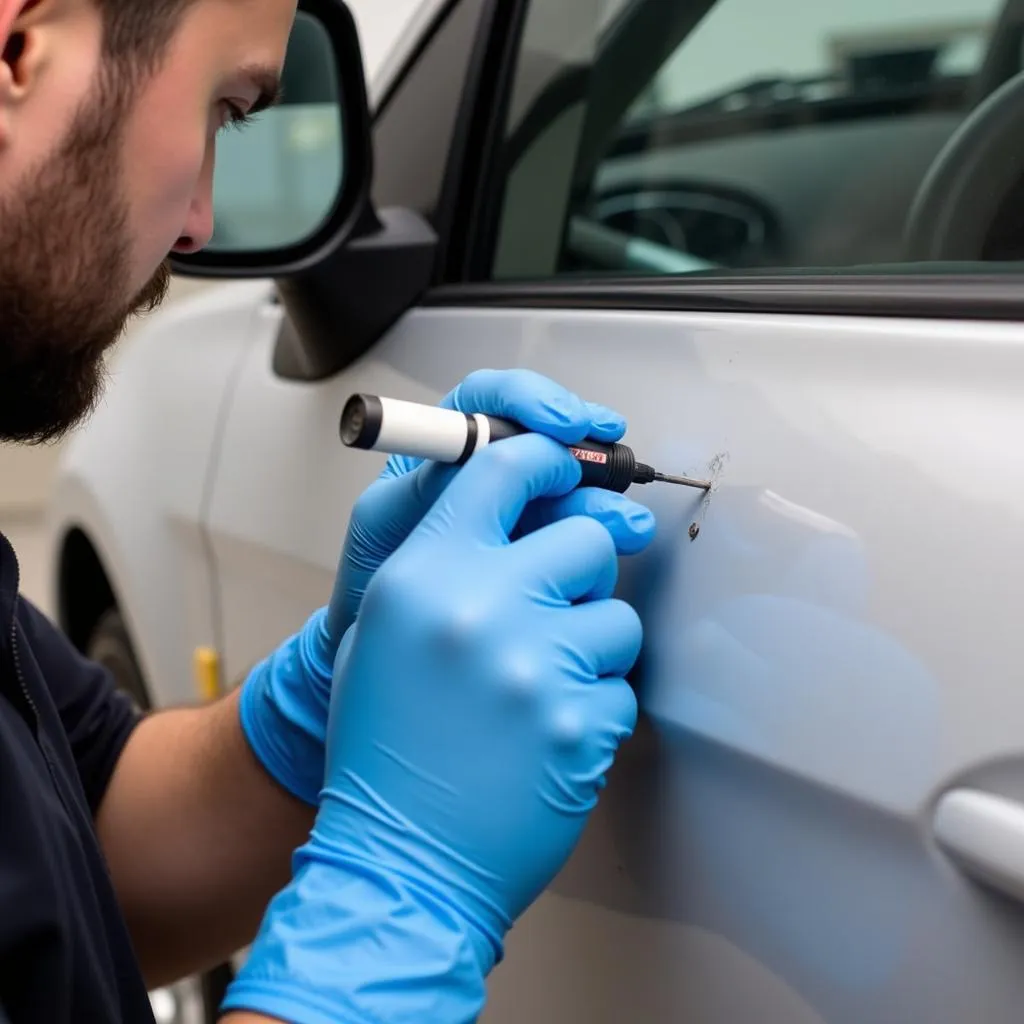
479	703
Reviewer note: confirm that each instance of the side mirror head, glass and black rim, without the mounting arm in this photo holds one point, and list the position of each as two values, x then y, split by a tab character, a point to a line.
296	182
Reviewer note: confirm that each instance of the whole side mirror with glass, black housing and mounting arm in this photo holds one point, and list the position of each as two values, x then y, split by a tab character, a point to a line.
292	202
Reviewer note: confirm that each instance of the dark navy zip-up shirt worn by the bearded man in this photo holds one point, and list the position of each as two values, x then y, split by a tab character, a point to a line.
66	955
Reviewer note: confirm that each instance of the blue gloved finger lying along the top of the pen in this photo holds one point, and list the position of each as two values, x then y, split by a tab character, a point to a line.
536	403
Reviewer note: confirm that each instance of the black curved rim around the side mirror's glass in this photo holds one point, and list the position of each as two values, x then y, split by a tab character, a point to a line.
352	214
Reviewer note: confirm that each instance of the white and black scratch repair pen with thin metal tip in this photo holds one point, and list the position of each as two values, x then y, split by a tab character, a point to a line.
376	424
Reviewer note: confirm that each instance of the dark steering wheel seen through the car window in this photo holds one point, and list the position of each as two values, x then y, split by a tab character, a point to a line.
958	202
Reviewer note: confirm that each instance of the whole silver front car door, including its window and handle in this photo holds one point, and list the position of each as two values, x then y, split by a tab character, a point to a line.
818	819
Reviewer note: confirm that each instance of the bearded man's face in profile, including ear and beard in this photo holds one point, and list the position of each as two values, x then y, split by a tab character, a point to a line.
99	184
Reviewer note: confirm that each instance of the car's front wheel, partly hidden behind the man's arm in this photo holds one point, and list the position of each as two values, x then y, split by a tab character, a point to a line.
196	1000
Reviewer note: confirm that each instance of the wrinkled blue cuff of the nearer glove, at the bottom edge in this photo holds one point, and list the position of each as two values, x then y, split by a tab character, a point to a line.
349	943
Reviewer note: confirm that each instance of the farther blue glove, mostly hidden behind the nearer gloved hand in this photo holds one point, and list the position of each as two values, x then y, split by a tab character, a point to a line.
284	704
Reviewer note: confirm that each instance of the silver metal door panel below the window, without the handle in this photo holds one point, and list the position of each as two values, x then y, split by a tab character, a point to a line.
837	648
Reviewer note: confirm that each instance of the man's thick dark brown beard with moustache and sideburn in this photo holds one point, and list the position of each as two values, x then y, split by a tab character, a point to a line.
65	264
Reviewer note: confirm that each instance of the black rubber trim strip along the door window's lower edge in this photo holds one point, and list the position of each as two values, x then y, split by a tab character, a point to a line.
924	296
